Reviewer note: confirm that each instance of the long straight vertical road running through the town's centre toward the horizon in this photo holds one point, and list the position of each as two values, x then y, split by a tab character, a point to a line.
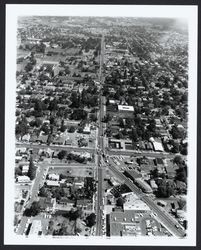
99	202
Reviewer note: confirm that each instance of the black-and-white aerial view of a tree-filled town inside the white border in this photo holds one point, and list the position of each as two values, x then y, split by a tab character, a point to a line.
101	127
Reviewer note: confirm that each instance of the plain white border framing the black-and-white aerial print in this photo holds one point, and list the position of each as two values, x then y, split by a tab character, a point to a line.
189	12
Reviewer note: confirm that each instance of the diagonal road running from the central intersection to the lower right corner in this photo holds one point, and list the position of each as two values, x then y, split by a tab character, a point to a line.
166	219
